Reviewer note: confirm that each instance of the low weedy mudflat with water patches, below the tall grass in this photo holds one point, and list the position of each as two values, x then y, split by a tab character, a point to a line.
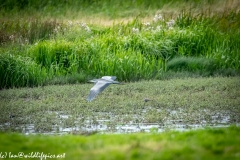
176	104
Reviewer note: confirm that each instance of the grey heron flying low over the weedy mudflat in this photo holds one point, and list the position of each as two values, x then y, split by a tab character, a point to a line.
100	85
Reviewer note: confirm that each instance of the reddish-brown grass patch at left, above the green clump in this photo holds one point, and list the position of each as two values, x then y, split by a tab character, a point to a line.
25	31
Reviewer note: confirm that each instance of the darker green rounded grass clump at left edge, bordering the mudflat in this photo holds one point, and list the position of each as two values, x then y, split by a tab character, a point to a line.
17	71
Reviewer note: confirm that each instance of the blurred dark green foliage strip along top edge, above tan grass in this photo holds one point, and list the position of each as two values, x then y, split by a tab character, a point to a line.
96	6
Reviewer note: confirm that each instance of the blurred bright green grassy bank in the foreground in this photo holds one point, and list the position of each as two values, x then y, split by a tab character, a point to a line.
199	144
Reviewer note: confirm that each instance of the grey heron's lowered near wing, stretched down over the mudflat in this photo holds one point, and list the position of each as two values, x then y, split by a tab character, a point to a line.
97	88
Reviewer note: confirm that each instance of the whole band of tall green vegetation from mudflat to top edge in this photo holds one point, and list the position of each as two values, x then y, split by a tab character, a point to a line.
45	48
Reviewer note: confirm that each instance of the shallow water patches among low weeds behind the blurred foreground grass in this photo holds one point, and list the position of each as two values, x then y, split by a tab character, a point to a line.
99	124
